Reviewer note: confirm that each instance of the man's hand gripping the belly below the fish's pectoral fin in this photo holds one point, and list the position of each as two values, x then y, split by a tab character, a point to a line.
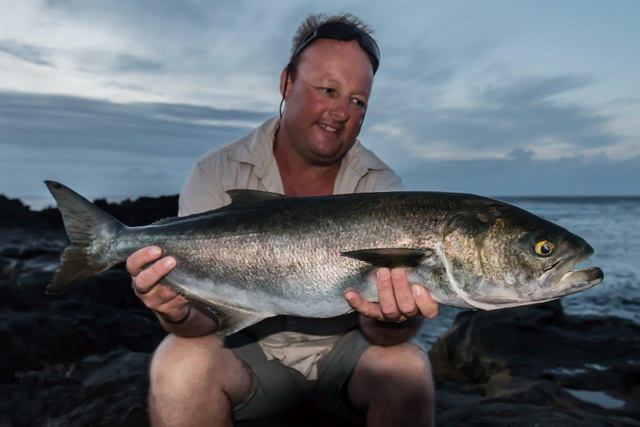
397	300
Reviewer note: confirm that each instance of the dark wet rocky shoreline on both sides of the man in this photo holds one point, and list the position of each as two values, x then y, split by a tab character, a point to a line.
81	358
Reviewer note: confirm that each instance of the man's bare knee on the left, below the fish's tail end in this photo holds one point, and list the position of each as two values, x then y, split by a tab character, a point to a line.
195	382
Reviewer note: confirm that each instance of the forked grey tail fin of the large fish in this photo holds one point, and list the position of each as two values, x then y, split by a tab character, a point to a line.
90	230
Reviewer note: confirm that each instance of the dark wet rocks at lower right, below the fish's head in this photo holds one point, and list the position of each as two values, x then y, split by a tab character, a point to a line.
539	366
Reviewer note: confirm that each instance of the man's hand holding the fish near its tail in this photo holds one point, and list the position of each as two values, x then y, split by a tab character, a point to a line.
170	306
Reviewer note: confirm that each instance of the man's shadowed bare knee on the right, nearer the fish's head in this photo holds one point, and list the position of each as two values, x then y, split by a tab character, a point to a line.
394	386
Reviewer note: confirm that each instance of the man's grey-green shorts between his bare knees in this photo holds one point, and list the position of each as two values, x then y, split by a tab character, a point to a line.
277	388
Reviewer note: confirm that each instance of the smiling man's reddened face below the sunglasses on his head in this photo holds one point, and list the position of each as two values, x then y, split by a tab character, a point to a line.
326	102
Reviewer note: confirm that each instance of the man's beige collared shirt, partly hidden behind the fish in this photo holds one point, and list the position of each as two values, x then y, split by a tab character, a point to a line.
249	163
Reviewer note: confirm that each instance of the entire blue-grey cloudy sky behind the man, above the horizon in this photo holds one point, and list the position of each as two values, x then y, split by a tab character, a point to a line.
120	97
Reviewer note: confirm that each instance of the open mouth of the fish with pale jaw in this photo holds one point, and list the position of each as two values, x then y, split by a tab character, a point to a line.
563	281
